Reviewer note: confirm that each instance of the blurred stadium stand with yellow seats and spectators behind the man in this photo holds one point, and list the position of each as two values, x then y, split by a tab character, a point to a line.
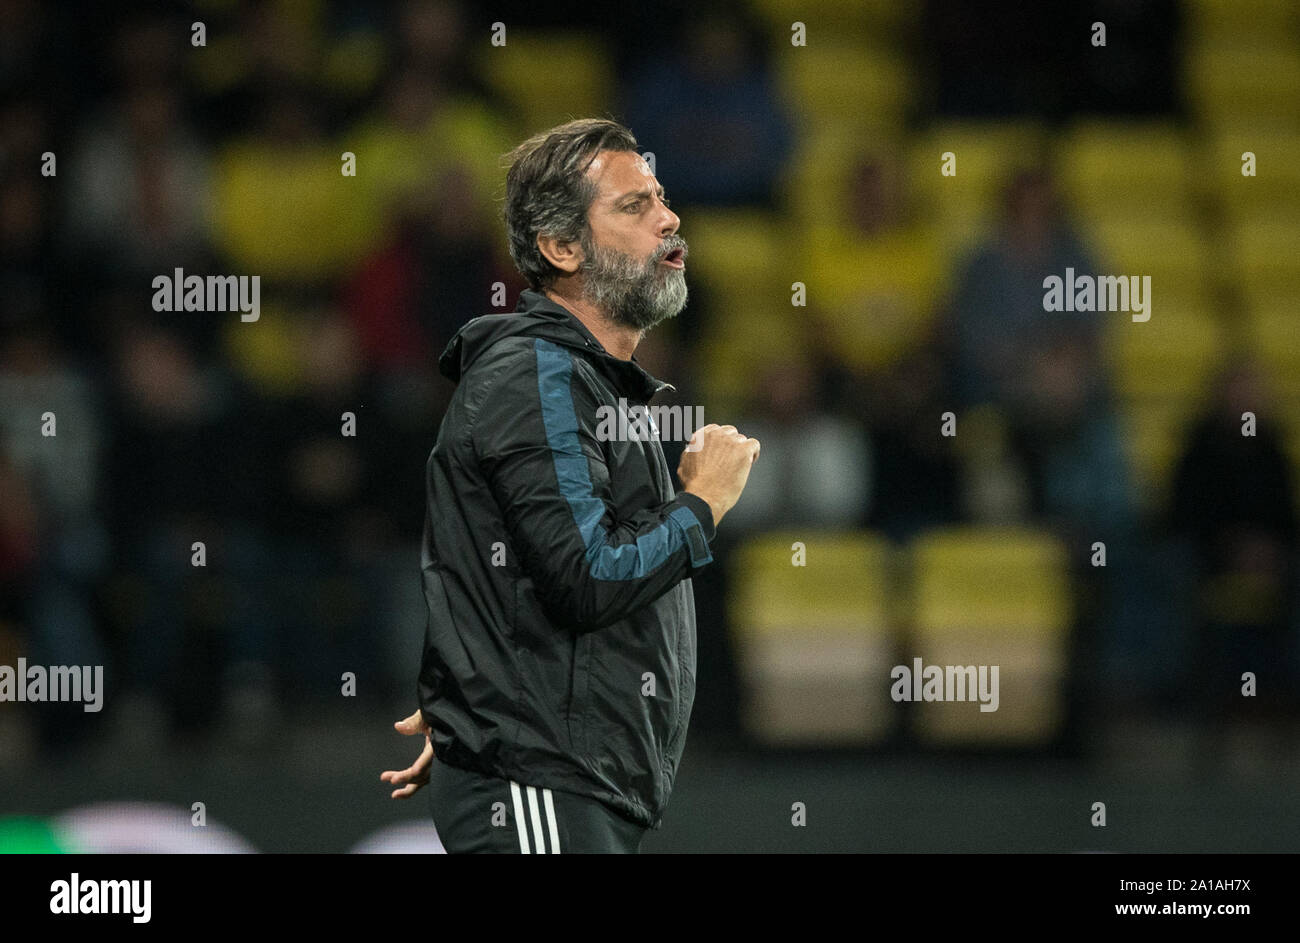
816	165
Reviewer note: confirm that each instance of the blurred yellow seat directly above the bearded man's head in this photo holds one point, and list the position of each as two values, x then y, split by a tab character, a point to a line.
527	72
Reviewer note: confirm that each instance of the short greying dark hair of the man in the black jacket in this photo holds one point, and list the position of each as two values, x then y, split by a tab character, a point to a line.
548	192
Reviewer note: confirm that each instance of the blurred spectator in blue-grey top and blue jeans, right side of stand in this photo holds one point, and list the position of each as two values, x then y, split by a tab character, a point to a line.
1042	371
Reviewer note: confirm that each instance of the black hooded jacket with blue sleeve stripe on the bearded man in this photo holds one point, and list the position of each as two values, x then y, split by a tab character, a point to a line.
561	639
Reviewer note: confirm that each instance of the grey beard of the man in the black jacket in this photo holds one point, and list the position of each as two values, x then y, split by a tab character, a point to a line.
634	295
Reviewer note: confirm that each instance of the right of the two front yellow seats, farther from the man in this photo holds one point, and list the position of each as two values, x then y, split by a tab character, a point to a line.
993	598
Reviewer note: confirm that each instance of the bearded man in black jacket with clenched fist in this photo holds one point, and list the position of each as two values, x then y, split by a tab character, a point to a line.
560	665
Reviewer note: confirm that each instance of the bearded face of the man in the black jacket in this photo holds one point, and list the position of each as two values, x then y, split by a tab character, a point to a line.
634	262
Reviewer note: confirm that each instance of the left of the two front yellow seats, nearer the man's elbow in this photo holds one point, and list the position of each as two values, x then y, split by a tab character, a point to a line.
814	639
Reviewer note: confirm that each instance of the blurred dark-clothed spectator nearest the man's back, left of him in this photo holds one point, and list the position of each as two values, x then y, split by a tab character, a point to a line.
328	513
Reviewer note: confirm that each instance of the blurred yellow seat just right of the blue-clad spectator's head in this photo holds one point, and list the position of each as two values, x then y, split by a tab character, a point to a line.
1143	167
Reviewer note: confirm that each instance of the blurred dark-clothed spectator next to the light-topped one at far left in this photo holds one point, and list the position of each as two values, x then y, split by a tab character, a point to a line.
194	639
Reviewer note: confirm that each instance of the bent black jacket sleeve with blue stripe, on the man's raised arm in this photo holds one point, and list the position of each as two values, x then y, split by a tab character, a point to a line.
535	442
